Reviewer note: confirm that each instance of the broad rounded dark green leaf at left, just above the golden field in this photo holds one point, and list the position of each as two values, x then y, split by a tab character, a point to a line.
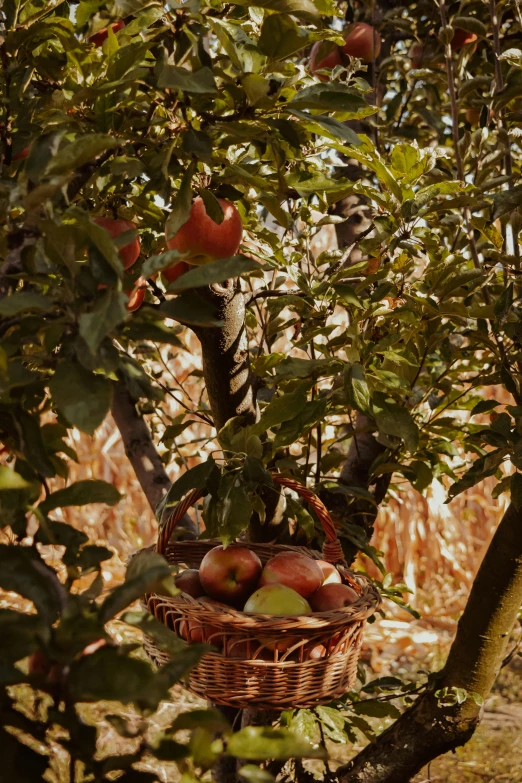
83	397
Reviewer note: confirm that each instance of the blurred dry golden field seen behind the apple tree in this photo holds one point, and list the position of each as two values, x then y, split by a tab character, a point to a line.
434	548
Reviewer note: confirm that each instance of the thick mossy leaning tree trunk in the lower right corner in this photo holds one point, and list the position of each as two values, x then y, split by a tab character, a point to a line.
430	728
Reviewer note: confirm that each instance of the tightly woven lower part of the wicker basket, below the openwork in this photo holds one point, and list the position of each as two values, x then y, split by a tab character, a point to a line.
266	685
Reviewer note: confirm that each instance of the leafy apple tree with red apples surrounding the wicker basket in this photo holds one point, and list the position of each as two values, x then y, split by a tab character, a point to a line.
350	369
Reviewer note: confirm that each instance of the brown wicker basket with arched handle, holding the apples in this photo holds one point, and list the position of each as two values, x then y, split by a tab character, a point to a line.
264	661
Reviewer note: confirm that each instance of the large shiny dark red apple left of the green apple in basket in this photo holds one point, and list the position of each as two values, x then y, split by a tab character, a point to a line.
230	575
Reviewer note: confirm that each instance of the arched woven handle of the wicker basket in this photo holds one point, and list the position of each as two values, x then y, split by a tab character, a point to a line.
332	550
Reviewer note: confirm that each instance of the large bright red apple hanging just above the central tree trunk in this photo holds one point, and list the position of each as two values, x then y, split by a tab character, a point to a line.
204	240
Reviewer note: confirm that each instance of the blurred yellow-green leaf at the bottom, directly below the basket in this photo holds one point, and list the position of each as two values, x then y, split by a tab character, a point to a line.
258	743
